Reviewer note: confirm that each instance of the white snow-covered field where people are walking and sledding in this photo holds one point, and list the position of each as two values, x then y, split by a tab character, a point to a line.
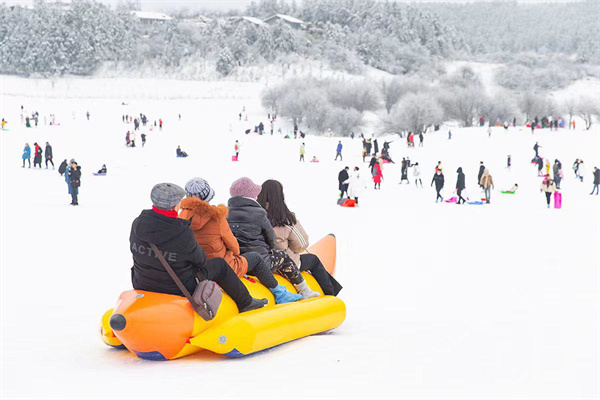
443	301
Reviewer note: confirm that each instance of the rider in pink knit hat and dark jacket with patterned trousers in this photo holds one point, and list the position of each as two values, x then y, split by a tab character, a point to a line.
249	223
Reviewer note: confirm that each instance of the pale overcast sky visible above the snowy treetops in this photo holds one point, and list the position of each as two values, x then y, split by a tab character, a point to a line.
160	5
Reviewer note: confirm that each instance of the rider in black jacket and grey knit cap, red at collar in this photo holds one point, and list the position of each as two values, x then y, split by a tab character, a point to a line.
175	239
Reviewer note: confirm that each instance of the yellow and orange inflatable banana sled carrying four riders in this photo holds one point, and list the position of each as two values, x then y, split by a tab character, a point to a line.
157	326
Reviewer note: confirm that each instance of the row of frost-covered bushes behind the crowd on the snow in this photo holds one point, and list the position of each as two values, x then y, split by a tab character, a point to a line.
413	103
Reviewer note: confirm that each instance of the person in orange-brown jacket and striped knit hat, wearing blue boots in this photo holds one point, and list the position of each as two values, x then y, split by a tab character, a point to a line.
213	234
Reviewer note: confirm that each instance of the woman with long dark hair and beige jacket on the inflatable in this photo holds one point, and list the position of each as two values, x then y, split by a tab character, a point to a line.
291	236
